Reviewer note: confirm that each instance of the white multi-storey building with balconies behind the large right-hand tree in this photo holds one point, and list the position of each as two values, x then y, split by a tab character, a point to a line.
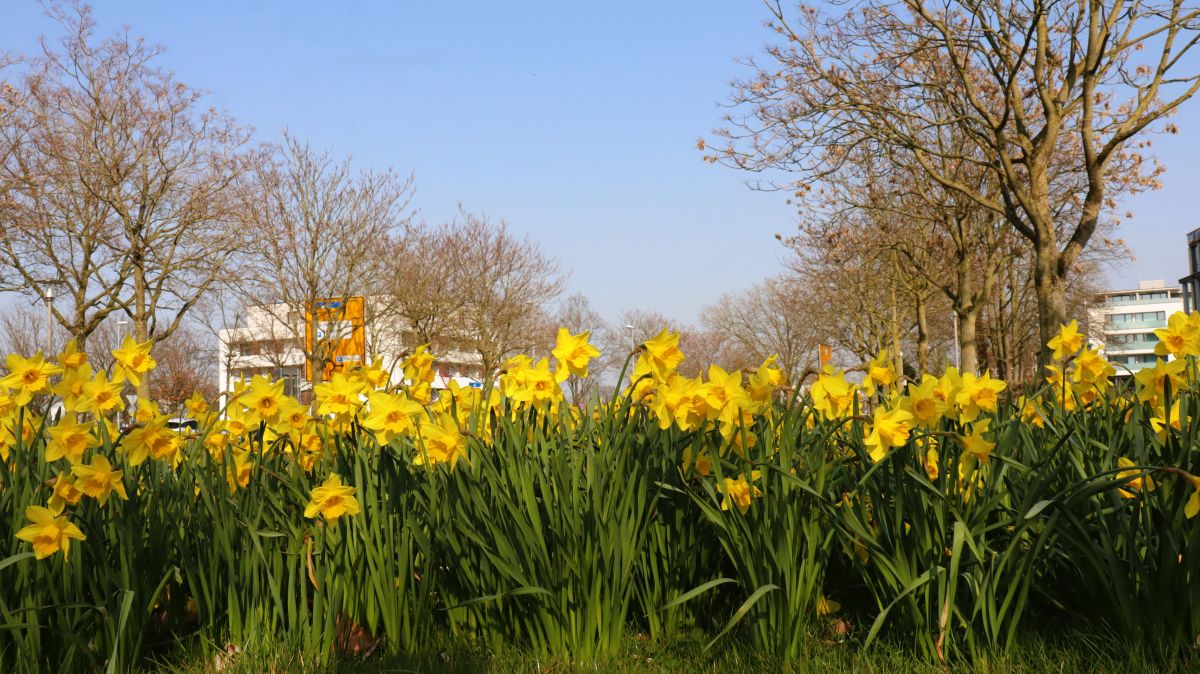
1123	323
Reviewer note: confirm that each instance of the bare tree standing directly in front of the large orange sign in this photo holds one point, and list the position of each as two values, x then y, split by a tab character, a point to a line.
316	231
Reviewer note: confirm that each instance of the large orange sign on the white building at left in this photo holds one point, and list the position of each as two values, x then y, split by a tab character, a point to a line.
335	332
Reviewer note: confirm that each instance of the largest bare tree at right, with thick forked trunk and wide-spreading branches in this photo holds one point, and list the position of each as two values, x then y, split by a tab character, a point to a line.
1049	94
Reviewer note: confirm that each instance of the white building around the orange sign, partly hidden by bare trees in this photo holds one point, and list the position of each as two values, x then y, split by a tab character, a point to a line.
272	344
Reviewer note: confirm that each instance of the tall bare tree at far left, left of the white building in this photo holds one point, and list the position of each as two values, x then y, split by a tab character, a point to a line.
119	183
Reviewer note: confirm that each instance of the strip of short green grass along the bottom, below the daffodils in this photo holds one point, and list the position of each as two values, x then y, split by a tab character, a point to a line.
1075	653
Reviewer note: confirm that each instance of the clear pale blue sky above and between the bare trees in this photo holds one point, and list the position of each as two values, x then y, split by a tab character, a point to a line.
574	122
